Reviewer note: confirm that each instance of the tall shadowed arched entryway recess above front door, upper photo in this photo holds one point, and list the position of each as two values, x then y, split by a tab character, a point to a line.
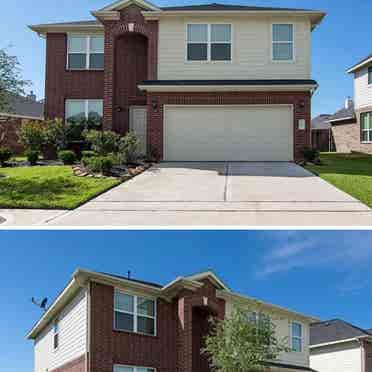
130	69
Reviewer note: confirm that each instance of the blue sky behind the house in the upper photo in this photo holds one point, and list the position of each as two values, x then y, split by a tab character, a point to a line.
338	43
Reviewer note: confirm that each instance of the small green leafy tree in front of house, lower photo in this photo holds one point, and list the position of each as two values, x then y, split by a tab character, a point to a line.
238	344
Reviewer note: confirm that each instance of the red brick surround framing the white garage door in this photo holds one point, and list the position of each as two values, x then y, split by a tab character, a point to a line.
301	102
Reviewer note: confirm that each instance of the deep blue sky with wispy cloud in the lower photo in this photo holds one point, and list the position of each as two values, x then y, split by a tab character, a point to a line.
324	274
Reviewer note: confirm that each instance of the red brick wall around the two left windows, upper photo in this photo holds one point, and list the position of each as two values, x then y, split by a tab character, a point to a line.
61	84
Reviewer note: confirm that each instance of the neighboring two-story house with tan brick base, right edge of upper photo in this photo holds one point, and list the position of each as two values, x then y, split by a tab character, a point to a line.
352	127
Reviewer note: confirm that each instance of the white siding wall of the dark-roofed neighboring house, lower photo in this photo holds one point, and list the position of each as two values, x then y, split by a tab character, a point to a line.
345	357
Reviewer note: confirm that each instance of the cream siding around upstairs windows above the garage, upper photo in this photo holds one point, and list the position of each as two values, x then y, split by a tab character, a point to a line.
251	50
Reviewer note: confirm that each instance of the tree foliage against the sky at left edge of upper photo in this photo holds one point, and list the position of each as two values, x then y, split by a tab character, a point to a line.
11	82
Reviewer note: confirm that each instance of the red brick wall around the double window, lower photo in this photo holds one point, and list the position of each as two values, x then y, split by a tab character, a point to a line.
109	347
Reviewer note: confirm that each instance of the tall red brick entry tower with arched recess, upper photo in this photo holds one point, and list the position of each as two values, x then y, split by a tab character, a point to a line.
116	87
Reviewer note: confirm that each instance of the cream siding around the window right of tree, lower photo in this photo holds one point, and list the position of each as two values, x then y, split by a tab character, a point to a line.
283	326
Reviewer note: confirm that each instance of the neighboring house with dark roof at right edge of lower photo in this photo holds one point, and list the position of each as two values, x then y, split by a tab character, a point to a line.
338	346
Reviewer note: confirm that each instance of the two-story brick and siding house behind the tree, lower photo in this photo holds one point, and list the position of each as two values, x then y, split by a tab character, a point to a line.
109	323
